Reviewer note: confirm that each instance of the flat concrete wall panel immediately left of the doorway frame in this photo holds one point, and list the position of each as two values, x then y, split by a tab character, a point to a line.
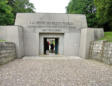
31	42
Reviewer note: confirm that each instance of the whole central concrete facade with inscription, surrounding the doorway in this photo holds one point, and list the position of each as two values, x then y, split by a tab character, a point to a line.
35	24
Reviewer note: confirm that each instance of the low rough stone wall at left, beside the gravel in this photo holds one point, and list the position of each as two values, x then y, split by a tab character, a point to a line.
7	52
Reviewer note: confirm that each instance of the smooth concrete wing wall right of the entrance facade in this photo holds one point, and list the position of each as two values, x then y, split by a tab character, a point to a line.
88	35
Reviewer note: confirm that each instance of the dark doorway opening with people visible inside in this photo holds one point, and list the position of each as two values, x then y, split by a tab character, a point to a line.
51	46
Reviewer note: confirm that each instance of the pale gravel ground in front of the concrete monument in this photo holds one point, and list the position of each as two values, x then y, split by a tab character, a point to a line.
55	72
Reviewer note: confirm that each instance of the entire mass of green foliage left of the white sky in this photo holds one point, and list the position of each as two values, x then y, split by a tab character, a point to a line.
9	8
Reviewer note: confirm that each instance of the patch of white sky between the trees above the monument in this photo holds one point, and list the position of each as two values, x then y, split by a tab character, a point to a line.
50	6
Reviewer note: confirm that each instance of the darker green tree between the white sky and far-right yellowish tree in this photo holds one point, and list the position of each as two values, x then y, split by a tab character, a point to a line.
83	7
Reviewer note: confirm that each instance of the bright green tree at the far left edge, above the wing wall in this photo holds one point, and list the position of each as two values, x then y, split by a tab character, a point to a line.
6	15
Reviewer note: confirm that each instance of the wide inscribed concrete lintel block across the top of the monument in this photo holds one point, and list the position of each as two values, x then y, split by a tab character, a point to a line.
46	19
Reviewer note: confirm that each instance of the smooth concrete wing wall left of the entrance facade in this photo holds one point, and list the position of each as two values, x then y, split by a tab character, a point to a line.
13	34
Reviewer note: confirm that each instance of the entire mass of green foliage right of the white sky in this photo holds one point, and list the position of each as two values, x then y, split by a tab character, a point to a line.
98	12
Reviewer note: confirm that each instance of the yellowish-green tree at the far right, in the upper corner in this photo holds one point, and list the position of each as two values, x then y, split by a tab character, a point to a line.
104	13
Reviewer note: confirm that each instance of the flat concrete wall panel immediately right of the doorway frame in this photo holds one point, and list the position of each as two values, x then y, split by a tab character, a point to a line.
71	44
